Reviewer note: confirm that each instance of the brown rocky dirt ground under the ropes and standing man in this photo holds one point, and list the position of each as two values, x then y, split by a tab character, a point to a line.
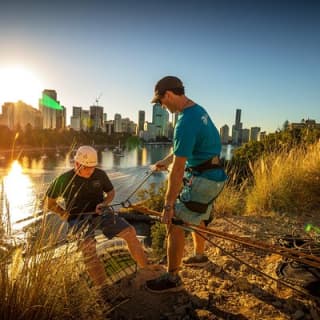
226	288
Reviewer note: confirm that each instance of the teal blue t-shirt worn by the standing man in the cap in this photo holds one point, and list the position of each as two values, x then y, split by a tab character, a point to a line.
197	139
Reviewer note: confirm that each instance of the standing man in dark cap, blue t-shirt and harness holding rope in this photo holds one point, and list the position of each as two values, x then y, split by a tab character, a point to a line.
196	167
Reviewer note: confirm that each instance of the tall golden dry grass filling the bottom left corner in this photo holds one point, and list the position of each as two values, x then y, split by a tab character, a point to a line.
45	284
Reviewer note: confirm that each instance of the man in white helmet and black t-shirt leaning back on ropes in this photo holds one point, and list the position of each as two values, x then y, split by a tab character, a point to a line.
79	197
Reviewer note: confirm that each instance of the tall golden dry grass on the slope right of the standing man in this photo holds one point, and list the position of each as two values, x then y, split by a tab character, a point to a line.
282	182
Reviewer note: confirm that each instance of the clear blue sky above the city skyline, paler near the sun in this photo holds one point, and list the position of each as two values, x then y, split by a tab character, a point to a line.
259	56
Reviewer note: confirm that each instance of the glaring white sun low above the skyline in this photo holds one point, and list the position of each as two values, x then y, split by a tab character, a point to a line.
19	83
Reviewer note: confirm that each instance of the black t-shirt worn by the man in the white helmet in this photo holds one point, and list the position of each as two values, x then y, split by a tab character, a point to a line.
80	194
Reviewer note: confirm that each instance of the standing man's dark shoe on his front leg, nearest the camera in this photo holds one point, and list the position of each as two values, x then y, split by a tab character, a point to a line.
165	283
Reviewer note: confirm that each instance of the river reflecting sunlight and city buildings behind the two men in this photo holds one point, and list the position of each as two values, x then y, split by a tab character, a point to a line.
25	182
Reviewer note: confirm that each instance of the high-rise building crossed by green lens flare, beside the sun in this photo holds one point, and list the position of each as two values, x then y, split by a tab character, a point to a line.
52	118
